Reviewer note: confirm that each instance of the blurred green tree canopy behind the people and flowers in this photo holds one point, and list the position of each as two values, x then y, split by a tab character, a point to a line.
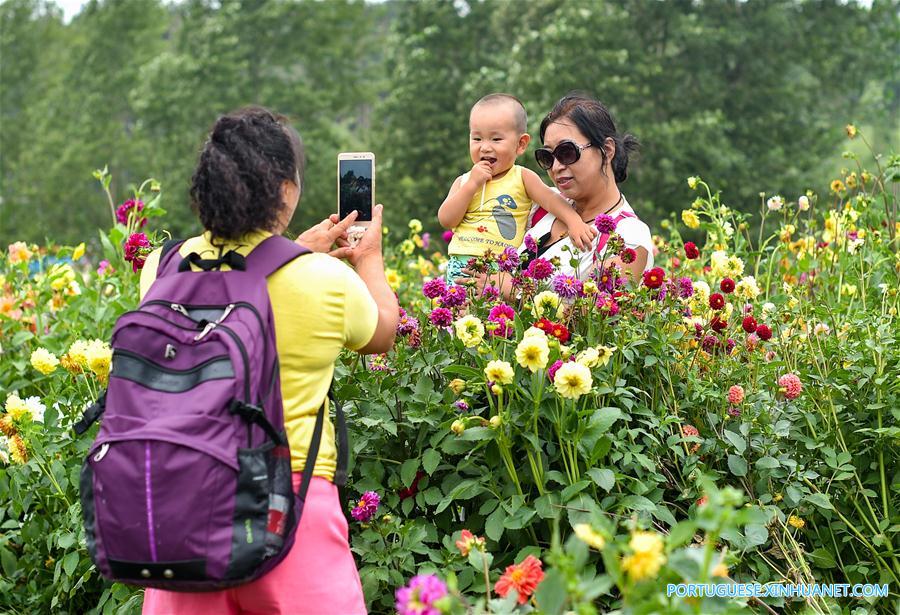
752	94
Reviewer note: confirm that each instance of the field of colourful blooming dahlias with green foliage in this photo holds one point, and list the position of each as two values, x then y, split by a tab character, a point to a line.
731	416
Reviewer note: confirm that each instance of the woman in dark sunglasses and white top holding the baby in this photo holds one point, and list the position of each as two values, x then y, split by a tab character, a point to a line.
587	159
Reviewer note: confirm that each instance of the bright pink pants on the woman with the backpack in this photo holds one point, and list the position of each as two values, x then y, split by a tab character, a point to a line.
317	576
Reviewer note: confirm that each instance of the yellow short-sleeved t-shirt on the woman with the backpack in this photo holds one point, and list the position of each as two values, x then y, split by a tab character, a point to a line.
320	306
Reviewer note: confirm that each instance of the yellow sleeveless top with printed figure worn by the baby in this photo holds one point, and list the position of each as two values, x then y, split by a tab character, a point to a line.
497	222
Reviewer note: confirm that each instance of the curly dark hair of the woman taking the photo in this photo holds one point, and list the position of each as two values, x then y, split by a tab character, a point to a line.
236	187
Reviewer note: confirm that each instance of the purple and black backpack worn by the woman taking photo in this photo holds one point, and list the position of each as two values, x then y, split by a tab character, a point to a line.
188	483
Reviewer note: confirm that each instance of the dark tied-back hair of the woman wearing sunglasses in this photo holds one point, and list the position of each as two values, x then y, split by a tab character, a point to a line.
594	120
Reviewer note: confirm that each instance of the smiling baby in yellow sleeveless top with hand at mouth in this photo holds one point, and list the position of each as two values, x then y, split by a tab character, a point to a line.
488	208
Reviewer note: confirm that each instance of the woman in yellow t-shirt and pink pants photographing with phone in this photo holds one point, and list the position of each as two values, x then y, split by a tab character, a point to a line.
245	188
